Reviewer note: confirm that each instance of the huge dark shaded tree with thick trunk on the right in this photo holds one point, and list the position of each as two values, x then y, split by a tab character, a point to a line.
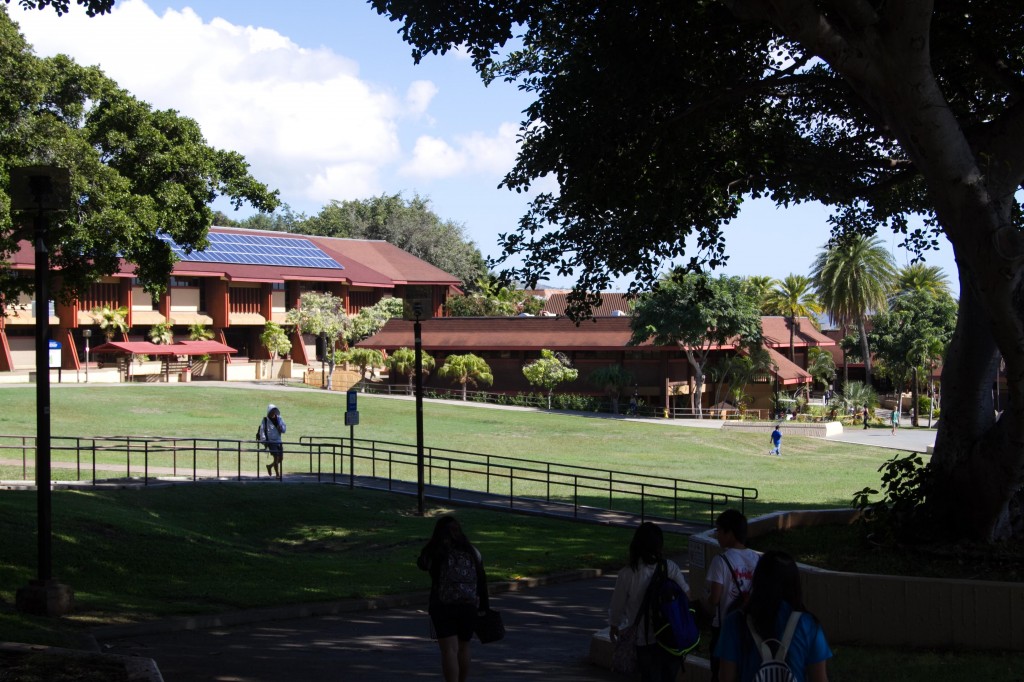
658	118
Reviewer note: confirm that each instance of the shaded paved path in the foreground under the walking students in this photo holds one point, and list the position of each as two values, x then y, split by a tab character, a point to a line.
548	632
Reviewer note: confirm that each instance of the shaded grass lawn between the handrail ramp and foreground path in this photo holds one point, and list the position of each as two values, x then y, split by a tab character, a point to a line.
140	555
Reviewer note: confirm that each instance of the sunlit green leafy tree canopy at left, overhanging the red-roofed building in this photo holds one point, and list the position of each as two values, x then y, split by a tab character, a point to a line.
134	170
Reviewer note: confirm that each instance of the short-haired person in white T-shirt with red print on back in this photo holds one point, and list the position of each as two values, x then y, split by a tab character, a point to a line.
730	576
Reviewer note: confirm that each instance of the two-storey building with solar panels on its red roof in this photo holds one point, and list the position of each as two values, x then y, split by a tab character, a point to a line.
244	280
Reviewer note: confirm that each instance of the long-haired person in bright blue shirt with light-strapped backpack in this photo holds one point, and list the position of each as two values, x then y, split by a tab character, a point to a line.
774	638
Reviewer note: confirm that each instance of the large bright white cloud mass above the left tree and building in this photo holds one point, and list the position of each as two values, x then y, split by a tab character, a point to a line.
306	120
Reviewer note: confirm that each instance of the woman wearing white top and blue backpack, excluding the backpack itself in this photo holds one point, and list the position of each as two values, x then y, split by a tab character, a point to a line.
647	552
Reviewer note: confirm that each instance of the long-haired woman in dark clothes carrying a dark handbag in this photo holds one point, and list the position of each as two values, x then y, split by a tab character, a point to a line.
458	594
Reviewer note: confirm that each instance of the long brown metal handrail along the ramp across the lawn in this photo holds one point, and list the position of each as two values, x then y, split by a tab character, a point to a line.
449	472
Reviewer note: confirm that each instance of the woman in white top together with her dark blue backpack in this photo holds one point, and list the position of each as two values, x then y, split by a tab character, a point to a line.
651	608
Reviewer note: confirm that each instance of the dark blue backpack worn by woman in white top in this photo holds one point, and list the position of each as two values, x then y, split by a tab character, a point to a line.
669	615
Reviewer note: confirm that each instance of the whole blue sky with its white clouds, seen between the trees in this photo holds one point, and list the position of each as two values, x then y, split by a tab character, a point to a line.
324	101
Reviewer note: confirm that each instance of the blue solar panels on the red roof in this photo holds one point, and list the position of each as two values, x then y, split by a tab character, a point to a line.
254	250
